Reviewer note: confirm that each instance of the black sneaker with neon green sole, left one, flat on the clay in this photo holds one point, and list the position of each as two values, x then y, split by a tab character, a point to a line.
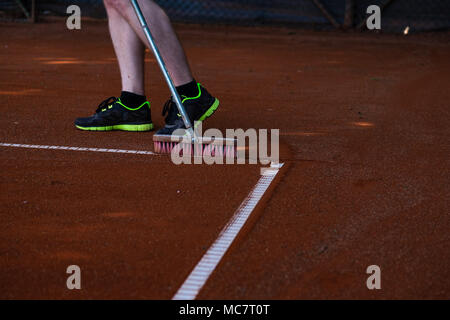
112	114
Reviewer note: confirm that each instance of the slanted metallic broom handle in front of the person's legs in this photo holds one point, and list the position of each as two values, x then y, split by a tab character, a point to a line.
162	66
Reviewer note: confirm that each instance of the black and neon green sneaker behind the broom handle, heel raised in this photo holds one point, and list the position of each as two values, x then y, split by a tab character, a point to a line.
197	108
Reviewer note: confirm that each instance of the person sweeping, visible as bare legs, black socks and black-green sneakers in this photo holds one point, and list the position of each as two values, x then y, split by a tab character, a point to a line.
125	32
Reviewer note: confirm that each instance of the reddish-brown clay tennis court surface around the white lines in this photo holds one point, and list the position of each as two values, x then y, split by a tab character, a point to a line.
366	181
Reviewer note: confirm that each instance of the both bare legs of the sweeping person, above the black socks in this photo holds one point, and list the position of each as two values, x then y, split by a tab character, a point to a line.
130	53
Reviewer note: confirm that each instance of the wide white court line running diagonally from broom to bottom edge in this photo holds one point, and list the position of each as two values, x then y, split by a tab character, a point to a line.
198	277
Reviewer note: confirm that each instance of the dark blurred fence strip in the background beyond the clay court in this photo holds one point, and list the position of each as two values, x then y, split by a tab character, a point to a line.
419	15
